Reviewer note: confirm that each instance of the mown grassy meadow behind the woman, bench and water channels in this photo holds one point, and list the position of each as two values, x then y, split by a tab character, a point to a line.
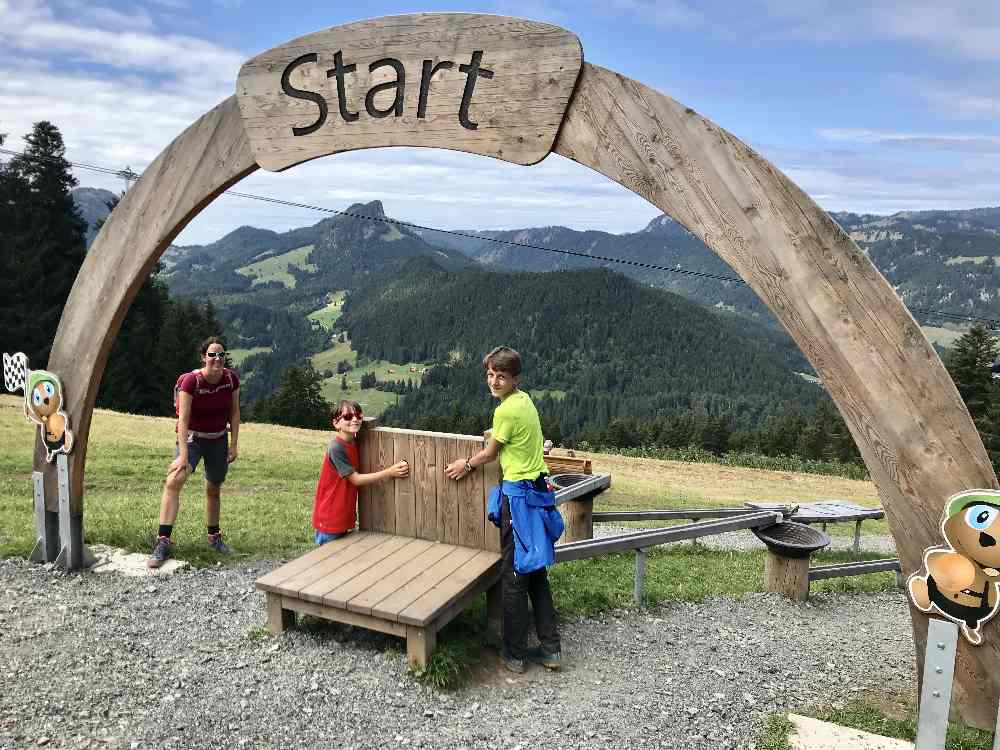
267	501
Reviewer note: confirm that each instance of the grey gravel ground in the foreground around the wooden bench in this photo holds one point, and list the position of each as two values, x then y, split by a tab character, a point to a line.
114	662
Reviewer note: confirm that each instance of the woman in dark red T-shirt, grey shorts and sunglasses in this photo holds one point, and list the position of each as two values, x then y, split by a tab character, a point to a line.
207	401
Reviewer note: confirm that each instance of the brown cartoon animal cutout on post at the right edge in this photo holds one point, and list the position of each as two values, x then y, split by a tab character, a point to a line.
962	578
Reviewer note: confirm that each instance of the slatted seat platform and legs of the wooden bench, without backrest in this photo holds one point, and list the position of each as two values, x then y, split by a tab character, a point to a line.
400	585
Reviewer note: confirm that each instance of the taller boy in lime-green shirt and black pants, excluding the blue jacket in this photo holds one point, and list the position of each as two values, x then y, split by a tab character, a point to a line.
517	439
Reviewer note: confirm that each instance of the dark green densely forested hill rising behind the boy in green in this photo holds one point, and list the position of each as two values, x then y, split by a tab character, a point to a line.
597	345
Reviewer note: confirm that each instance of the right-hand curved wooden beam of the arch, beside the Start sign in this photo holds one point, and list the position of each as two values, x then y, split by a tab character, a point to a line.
901	406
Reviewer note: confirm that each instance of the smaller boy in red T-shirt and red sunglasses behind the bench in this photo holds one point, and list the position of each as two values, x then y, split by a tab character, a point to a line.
335	510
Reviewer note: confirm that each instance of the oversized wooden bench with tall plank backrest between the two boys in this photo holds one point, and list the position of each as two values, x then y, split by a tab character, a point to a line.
423	551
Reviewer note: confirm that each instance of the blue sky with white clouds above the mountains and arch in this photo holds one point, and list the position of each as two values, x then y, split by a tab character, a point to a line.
869	107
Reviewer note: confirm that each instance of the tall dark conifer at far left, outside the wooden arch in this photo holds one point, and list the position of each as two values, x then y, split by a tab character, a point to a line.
44	243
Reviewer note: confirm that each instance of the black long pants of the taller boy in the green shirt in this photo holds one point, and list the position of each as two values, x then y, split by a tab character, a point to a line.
517	588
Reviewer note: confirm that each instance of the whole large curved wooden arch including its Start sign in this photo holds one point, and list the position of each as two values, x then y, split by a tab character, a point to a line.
517	90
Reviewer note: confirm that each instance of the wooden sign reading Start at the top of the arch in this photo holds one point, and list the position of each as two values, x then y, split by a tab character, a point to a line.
483	84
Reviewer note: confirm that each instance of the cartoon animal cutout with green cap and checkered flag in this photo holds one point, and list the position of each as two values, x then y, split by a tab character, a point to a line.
43	403
